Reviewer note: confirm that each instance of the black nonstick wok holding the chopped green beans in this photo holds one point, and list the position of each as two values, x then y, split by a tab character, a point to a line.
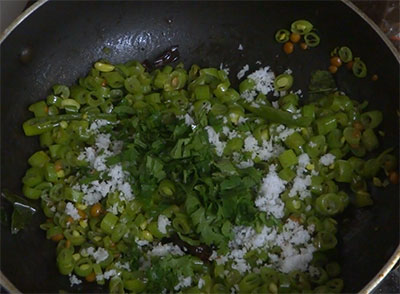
65	38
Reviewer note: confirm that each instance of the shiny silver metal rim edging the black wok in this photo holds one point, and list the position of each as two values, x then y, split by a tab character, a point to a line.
11	288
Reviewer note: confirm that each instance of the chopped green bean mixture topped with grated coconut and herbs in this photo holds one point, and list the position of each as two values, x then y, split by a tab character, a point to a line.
173	181
